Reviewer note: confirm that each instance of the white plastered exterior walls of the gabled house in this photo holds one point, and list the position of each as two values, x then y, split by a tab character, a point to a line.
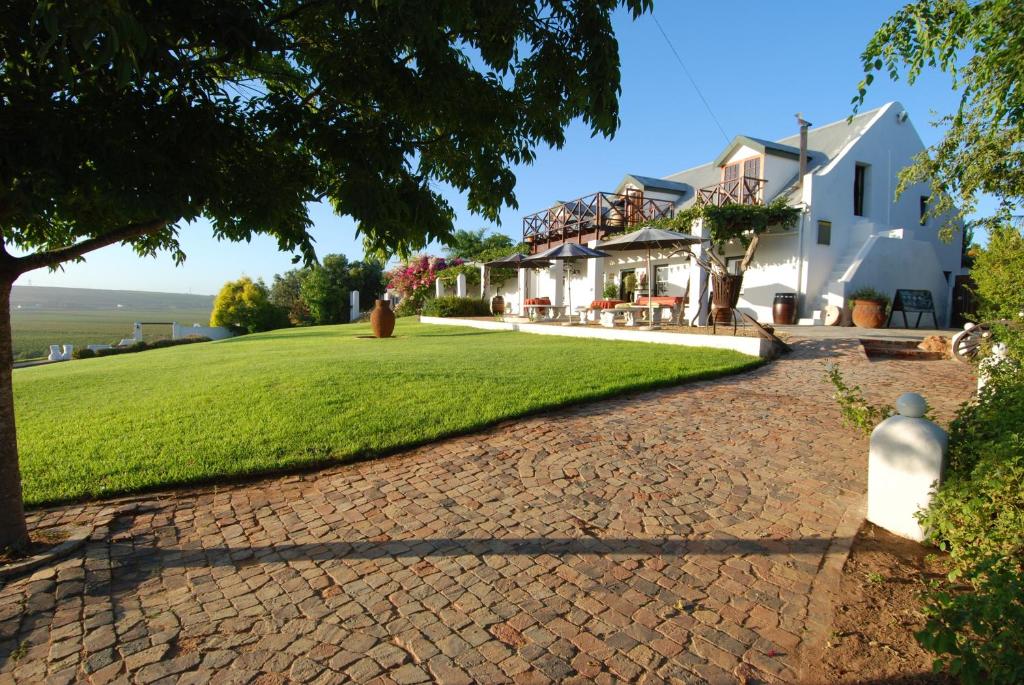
823	275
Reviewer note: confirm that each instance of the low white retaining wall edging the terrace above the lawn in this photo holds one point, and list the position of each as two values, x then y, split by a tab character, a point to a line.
753	347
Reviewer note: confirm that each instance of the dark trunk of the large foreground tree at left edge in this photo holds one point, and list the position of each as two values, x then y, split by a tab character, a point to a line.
14	533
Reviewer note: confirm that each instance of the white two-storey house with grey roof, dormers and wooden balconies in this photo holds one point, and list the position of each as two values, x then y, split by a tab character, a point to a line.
854	231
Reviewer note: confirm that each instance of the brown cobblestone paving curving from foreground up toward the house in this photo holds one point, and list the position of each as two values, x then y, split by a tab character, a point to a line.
687	535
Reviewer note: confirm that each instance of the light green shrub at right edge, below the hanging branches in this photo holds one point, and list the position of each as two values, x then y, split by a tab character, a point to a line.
998	272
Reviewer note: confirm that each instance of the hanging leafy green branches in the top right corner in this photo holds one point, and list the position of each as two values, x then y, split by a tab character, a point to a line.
980	45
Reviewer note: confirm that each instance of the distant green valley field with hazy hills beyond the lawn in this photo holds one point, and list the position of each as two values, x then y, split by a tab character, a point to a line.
45	317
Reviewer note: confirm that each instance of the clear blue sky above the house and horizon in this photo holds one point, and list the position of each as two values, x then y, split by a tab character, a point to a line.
756	64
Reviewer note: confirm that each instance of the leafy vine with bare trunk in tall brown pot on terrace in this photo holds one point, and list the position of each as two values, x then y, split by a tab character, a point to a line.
731	225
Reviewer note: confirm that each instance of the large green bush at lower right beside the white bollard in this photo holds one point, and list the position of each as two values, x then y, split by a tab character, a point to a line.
977	516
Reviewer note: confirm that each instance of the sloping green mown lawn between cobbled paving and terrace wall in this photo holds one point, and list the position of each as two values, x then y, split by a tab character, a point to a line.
287	399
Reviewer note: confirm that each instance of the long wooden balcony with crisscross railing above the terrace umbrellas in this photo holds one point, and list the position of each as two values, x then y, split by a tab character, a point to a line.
589	219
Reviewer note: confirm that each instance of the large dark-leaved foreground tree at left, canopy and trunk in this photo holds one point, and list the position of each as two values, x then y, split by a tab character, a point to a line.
122	120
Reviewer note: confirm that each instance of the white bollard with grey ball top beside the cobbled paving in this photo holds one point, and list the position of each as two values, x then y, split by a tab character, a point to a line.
908	456
